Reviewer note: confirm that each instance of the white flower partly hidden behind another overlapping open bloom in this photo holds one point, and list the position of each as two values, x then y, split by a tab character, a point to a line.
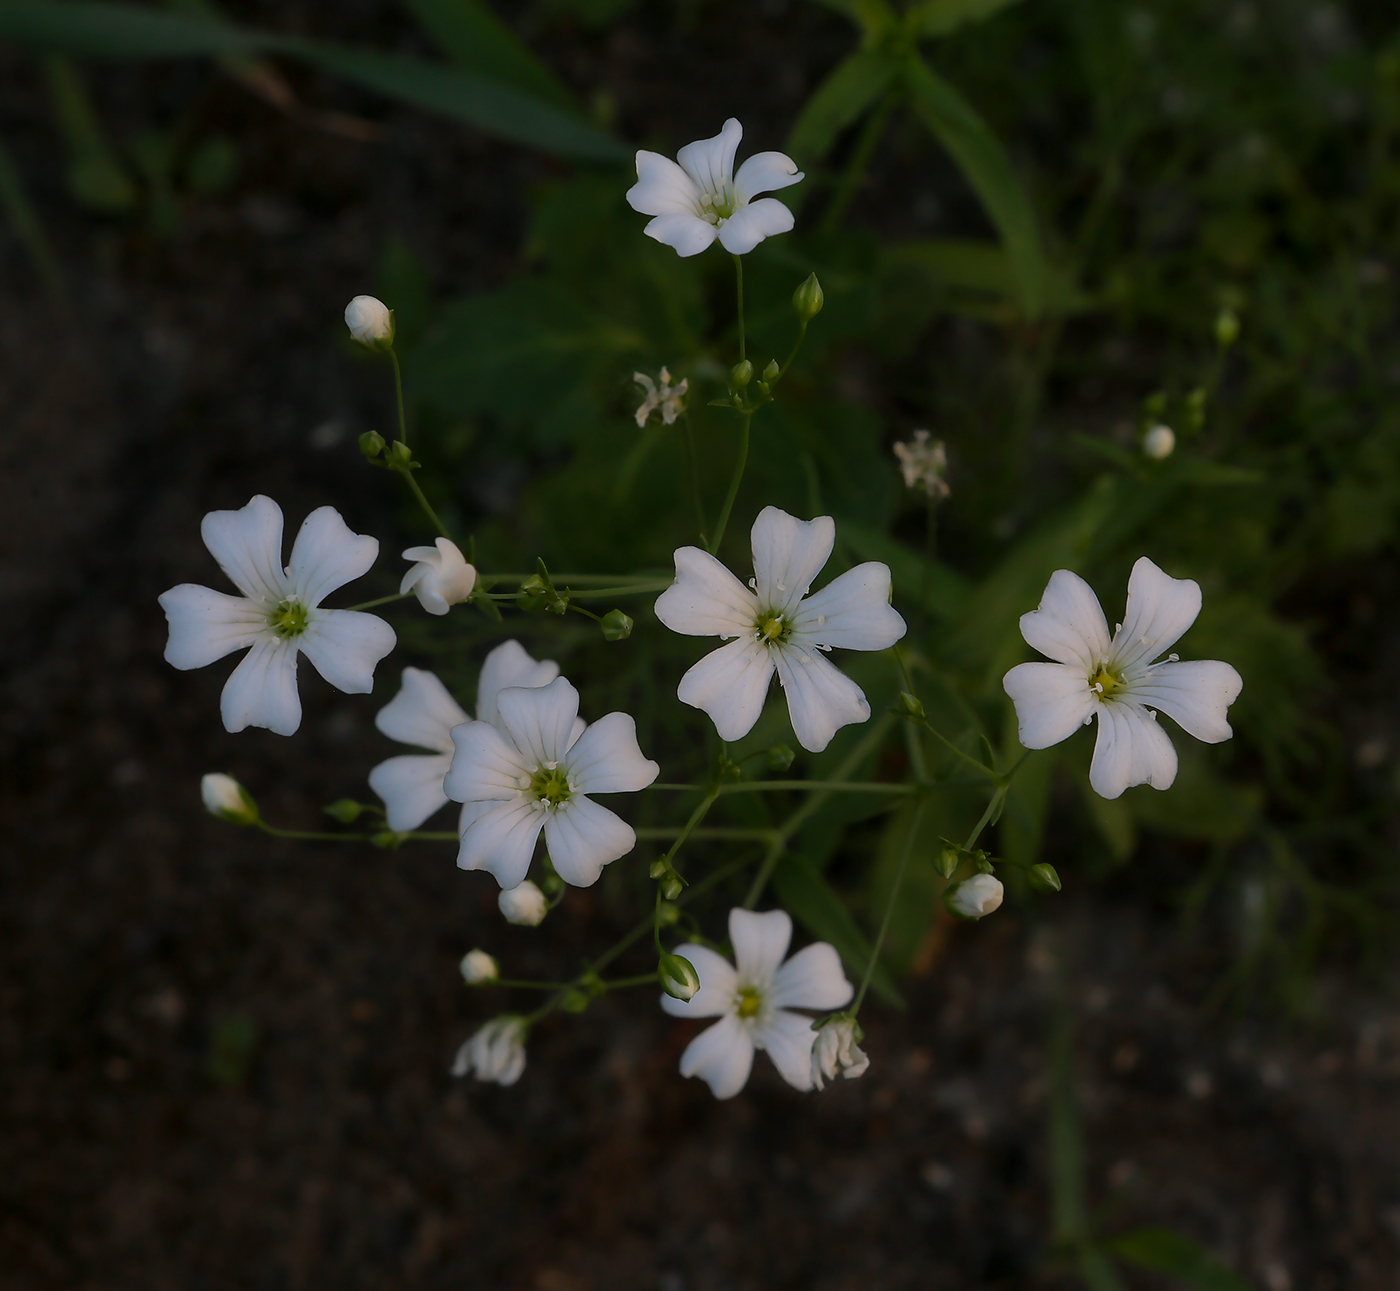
423	715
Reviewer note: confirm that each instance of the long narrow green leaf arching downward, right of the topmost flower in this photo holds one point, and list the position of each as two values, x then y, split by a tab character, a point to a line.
988	169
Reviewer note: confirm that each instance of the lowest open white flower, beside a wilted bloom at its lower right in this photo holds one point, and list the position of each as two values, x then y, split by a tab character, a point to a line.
755	1003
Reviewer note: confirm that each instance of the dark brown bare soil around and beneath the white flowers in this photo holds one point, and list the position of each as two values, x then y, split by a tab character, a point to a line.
225	1059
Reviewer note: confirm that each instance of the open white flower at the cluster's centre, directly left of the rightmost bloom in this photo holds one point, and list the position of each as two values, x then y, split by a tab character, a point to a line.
776	629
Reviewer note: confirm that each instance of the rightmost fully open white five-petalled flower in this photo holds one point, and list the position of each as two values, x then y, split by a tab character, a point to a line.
1118	680
